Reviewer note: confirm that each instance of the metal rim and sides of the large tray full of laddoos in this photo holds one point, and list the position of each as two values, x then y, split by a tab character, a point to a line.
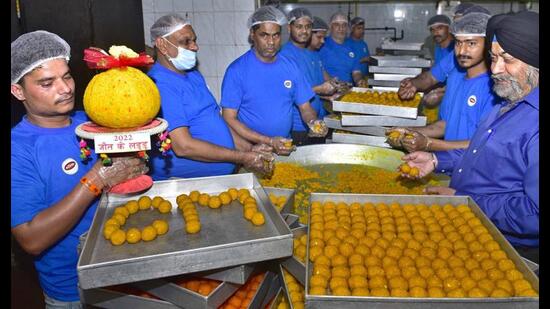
317	301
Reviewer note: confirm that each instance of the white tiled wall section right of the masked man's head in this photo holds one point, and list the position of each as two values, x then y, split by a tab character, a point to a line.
221	31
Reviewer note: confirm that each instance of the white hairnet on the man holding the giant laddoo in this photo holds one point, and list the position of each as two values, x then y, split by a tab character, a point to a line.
34	48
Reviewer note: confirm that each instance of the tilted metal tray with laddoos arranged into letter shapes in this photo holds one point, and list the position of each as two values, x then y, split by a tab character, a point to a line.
210	223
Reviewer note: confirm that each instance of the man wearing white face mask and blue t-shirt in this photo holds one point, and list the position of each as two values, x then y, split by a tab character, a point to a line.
202	143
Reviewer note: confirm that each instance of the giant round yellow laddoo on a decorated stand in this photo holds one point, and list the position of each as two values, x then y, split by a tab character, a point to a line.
121	98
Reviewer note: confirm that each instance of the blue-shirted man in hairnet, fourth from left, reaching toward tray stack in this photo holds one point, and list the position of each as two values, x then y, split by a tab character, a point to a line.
300	23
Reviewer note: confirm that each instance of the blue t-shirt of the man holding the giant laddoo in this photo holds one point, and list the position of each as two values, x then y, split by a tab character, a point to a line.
45	167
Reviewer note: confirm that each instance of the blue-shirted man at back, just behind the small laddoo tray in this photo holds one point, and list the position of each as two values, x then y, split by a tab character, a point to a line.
339	59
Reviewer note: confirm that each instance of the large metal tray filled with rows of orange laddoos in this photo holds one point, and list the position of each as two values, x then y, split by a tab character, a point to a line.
412	251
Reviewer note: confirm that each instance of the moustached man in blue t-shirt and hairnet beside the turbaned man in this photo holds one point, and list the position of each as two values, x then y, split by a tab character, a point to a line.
468	98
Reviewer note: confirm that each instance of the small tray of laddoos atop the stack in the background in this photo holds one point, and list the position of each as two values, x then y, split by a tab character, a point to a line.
377	102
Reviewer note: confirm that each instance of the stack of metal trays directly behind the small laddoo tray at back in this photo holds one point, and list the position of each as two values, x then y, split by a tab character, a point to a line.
390	70
